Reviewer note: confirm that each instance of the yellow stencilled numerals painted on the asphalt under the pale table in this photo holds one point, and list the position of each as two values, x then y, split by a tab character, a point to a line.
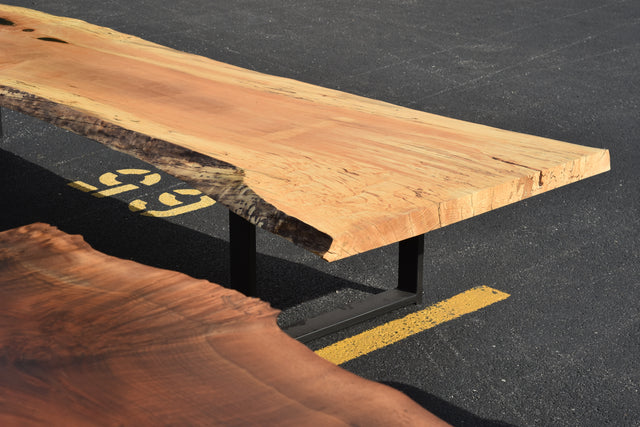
112	186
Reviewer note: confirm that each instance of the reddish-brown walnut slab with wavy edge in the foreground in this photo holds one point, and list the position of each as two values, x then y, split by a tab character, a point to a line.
88	339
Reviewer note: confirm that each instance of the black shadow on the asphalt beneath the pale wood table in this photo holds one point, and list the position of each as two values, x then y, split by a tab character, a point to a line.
31	193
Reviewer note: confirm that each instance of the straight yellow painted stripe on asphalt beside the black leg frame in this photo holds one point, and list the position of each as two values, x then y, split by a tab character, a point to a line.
399	329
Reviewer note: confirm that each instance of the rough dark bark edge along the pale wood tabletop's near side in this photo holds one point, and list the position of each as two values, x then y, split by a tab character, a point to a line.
222	181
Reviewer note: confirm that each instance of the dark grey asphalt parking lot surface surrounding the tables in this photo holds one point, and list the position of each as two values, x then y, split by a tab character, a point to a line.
563	349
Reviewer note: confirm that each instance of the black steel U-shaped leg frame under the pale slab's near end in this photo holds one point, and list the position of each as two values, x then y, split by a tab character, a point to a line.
409	291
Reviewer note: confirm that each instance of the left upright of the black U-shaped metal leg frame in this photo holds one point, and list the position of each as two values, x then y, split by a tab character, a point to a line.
242	248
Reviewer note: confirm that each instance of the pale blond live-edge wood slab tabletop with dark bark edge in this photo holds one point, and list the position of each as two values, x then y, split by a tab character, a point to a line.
335	173
